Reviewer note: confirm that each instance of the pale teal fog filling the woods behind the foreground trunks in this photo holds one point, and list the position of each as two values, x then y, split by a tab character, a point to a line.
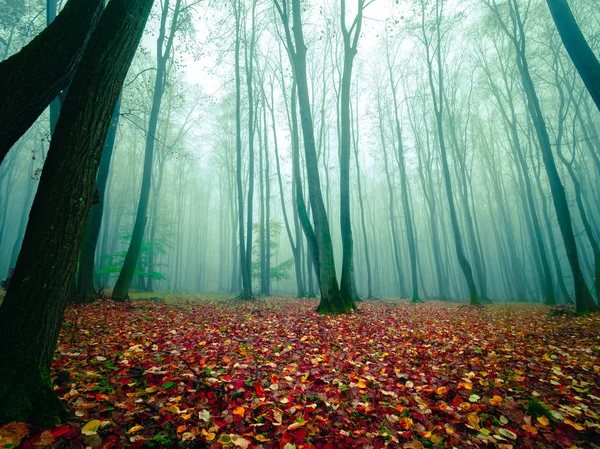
437	87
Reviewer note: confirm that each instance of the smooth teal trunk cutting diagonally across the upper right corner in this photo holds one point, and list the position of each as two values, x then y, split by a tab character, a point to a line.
581	54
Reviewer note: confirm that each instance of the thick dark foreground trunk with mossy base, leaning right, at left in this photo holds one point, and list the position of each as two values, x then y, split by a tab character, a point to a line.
32	313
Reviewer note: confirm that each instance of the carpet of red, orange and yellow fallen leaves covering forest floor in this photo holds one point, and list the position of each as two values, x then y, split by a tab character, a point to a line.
274	374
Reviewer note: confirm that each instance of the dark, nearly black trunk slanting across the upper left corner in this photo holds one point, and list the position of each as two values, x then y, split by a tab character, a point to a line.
32	78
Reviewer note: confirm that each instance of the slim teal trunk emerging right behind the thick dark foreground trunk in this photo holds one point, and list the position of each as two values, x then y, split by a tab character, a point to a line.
85	278
